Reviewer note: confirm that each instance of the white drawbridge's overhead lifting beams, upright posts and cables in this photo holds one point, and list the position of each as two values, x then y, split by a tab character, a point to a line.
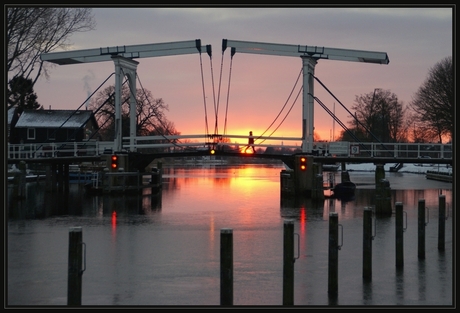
124	59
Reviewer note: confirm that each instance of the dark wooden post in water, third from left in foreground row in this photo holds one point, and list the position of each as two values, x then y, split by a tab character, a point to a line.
288	263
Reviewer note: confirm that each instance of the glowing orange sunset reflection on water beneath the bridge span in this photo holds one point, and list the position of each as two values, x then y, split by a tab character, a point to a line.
240	189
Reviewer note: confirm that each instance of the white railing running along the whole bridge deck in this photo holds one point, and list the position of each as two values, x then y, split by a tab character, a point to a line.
179	143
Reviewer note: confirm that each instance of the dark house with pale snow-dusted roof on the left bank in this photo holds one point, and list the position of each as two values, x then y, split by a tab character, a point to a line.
42	126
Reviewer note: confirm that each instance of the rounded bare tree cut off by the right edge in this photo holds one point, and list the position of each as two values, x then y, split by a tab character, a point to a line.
434	102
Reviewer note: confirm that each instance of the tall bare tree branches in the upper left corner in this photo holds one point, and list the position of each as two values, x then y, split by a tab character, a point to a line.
31	31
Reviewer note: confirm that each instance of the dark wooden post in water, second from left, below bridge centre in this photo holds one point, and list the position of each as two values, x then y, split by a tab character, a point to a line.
226	267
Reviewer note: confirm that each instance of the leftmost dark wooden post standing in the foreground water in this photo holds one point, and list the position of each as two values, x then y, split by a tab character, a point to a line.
74	278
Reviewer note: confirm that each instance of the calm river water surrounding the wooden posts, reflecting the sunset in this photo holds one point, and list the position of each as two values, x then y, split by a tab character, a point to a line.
163	249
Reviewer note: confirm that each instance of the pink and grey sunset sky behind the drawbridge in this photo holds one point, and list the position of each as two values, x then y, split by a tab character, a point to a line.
415	39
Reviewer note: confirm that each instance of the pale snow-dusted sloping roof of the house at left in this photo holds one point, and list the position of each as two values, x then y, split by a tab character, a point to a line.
53	118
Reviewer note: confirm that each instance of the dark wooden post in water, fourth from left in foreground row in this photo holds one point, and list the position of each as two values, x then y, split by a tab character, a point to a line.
333	264
